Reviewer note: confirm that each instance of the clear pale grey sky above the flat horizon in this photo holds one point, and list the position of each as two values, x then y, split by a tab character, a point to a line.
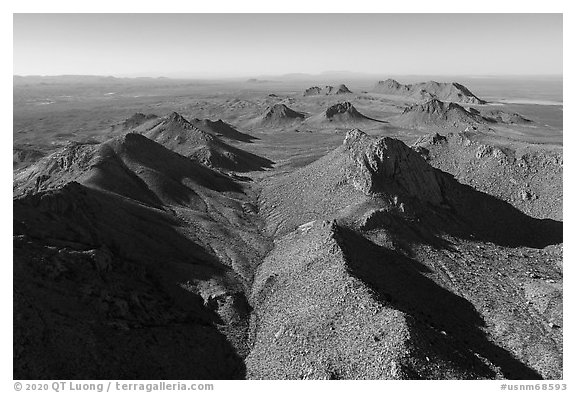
255	44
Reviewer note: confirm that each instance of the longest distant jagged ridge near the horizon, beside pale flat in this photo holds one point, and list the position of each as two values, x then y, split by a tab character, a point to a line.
454	92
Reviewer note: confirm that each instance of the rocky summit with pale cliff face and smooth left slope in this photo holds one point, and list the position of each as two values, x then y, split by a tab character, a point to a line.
362	168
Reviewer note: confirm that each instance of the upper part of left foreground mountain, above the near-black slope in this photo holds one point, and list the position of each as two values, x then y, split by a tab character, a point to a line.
136	168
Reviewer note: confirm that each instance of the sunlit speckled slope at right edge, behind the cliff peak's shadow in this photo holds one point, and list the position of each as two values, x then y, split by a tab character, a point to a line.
529	179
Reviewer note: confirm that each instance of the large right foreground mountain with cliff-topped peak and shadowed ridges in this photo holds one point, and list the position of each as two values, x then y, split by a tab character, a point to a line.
408	244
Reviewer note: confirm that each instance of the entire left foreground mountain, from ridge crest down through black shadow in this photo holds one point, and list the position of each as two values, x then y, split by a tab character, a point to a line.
189	229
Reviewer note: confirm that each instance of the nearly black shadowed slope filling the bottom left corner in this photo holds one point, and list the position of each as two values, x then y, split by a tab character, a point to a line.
95	272
